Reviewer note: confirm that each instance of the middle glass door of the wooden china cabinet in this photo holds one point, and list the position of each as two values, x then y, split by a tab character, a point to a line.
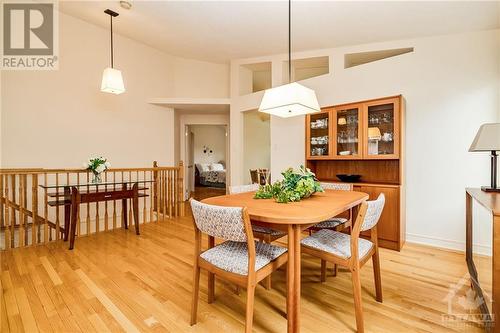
347	132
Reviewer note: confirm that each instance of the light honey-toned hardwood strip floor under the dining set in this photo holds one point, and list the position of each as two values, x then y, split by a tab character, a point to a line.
116	281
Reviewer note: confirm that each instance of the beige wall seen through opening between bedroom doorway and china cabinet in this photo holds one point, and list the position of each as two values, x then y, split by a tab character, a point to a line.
256	143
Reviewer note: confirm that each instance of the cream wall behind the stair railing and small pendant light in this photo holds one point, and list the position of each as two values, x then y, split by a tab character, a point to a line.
59	118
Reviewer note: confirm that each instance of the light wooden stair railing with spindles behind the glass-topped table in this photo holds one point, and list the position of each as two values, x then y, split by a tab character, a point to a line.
30	214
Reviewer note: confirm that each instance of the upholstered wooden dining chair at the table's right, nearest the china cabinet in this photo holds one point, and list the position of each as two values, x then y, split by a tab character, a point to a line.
351	251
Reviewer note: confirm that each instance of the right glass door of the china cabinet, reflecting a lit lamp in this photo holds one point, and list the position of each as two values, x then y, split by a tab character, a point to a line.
381	139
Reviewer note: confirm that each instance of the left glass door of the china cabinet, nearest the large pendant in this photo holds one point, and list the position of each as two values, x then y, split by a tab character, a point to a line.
319	137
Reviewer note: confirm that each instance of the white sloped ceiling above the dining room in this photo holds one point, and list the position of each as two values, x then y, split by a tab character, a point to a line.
222	30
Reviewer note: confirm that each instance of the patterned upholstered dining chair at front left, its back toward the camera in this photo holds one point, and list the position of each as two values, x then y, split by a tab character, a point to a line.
239	259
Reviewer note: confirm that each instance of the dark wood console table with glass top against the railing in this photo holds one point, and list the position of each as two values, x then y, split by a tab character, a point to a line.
76	194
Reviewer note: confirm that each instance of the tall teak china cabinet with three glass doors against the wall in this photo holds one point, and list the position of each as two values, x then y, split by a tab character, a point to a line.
364	138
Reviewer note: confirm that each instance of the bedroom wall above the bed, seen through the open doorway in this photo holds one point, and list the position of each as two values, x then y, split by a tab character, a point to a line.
214	138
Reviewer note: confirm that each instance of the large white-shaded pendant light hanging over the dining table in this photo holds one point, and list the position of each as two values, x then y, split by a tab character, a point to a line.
291	99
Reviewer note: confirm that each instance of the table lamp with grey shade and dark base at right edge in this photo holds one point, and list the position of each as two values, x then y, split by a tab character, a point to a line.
488	139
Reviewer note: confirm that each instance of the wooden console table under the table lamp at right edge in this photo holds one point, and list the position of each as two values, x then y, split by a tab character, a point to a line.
490	201
